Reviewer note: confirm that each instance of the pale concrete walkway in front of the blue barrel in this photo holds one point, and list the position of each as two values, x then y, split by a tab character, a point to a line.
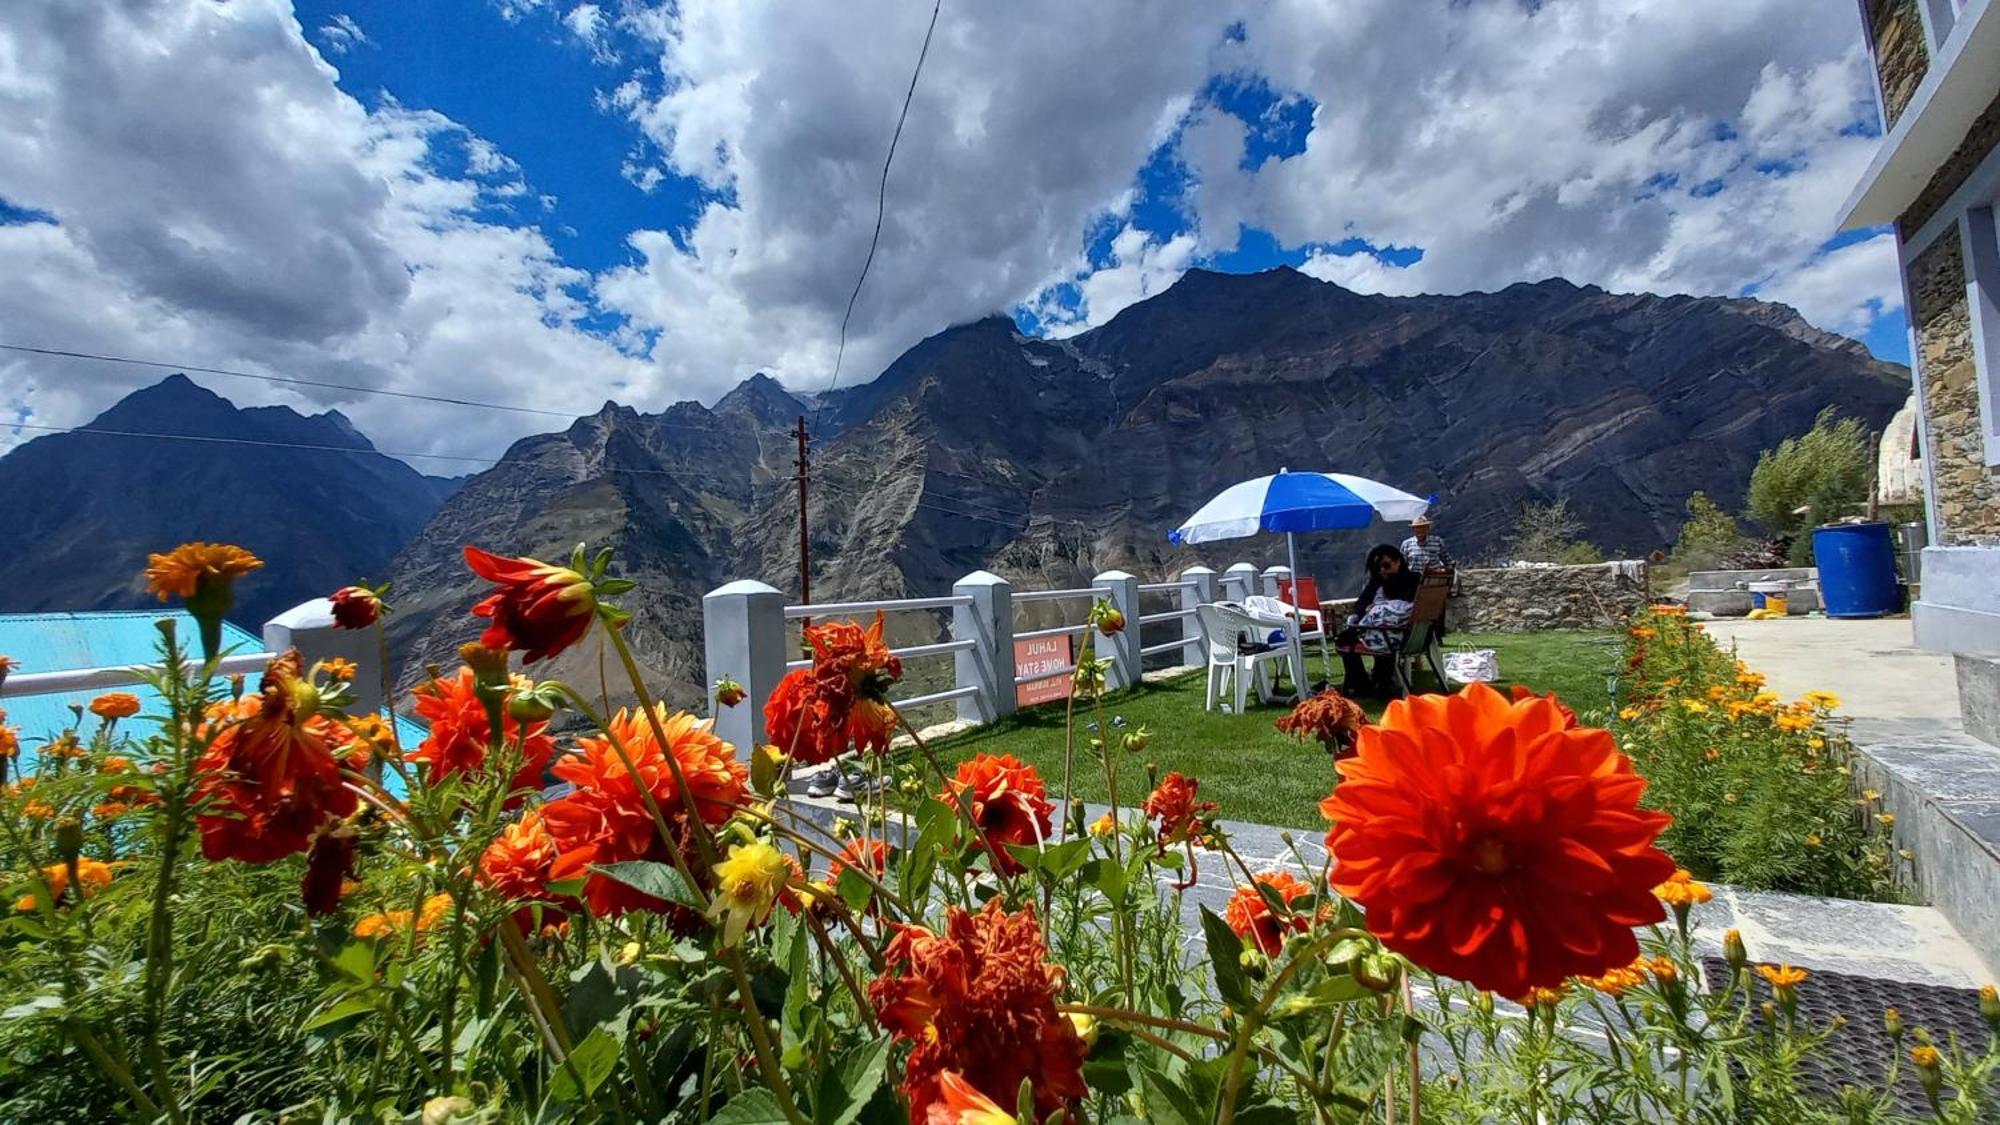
1873	666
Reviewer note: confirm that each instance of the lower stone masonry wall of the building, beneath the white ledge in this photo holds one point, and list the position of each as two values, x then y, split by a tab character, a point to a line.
1969	491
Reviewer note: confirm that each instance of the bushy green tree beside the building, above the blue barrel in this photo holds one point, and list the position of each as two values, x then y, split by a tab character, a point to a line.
1813	479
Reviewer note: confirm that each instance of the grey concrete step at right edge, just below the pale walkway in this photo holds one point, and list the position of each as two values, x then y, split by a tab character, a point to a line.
1943	788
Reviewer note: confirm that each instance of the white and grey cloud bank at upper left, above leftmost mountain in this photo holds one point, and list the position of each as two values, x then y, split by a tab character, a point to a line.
293	233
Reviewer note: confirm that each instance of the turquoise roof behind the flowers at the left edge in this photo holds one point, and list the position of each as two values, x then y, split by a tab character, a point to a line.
103	640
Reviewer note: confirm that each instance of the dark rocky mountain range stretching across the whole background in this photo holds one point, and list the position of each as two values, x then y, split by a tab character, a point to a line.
1041	459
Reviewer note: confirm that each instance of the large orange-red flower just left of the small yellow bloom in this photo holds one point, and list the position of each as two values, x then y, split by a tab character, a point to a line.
605	820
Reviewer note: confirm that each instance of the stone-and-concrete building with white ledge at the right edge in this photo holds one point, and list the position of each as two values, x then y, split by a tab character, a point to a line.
1937	179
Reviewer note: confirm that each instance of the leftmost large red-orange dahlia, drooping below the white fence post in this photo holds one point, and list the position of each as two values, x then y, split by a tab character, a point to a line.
271	776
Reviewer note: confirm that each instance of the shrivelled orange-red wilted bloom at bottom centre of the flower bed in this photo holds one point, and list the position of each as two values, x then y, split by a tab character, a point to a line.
979	1000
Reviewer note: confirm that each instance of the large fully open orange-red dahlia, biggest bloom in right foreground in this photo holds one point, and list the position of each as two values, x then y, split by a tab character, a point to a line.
1497	844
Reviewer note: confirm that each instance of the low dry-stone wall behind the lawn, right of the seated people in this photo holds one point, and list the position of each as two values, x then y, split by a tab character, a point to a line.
1525	600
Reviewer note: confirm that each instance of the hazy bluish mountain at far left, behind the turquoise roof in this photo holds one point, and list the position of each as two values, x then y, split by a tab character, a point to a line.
85	509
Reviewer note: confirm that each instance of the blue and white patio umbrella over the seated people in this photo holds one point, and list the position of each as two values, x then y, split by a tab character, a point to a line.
1293	503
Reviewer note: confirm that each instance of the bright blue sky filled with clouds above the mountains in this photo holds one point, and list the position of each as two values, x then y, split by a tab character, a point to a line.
655	201
